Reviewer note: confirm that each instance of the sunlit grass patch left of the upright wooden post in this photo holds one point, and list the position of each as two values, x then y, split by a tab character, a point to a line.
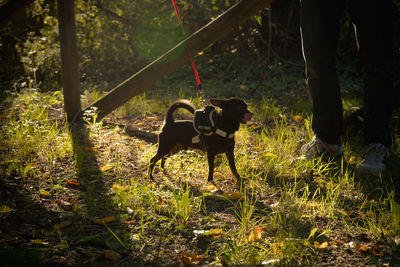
30	136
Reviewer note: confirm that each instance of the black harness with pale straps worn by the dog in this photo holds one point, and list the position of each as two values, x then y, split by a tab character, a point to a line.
204	124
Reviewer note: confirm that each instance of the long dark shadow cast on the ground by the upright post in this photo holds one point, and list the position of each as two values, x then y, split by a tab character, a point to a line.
87	237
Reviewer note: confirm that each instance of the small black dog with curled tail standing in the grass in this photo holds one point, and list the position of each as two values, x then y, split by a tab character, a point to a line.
214	138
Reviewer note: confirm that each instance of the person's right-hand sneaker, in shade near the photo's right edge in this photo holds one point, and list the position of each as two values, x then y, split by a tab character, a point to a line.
374	159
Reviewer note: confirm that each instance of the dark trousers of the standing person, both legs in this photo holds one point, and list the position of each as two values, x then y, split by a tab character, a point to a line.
373	24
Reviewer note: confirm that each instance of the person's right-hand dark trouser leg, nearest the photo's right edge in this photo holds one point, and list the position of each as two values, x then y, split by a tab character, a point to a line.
373	21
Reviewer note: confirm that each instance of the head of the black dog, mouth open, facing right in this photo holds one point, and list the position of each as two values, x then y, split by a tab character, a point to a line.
234	109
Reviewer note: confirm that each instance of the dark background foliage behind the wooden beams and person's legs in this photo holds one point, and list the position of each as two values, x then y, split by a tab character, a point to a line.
117	38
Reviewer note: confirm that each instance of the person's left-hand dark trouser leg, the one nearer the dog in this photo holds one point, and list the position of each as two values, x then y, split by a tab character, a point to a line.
319	21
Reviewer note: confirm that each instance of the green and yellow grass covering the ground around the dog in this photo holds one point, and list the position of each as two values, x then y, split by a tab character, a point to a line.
286	206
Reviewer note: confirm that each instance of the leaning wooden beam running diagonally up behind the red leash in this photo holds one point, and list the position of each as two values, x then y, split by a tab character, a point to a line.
178	55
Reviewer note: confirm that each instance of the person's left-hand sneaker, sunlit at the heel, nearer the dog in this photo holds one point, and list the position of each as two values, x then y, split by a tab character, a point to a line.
318	148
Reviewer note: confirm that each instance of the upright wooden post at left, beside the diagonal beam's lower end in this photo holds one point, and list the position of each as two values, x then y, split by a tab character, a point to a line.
69	58
